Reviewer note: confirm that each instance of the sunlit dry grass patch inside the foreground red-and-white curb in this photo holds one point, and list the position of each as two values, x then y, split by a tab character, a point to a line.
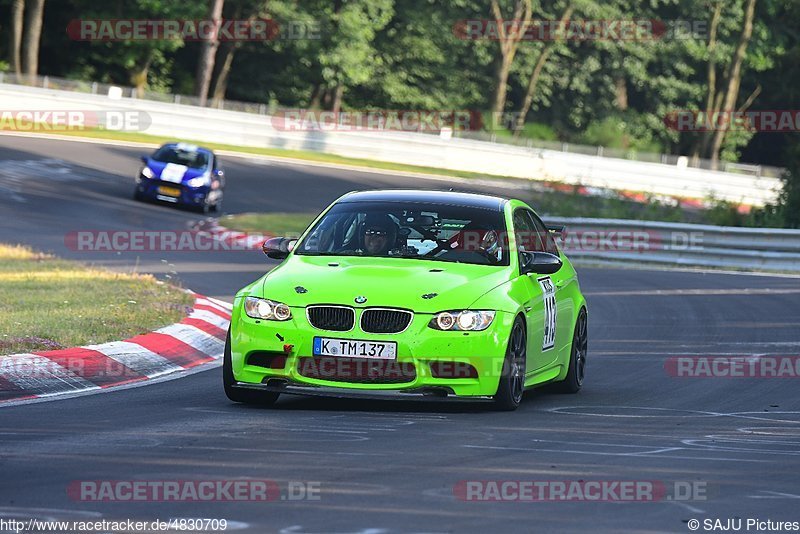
48	303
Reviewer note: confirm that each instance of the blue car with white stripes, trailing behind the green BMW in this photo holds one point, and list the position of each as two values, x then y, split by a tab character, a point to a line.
182	174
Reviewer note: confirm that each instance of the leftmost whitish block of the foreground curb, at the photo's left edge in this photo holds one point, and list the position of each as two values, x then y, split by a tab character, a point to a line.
37	375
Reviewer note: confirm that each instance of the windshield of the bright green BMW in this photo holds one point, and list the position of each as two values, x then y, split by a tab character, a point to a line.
409	230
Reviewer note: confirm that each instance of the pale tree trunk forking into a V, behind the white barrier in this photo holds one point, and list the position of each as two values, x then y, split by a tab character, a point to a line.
509	42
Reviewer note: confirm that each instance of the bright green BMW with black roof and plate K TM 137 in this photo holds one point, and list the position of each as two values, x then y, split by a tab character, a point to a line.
401	294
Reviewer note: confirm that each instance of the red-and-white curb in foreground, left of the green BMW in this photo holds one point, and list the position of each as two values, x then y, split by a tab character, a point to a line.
197	339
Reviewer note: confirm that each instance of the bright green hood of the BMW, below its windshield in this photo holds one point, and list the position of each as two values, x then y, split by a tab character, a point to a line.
391	282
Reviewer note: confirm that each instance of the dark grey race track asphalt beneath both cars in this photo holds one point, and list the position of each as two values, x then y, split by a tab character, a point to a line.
392	467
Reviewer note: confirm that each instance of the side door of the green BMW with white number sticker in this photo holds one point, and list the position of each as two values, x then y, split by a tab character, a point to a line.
538	303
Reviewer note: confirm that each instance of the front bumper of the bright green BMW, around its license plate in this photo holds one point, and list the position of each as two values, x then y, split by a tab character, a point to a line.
419	347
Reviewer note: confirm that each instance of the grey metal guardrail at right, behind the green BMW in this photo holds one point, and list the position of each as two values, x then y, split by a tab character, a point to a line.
674	244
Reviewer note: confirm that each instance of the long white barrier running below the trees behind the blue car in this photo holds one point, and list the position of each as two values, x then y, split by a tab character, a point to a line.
247	129
